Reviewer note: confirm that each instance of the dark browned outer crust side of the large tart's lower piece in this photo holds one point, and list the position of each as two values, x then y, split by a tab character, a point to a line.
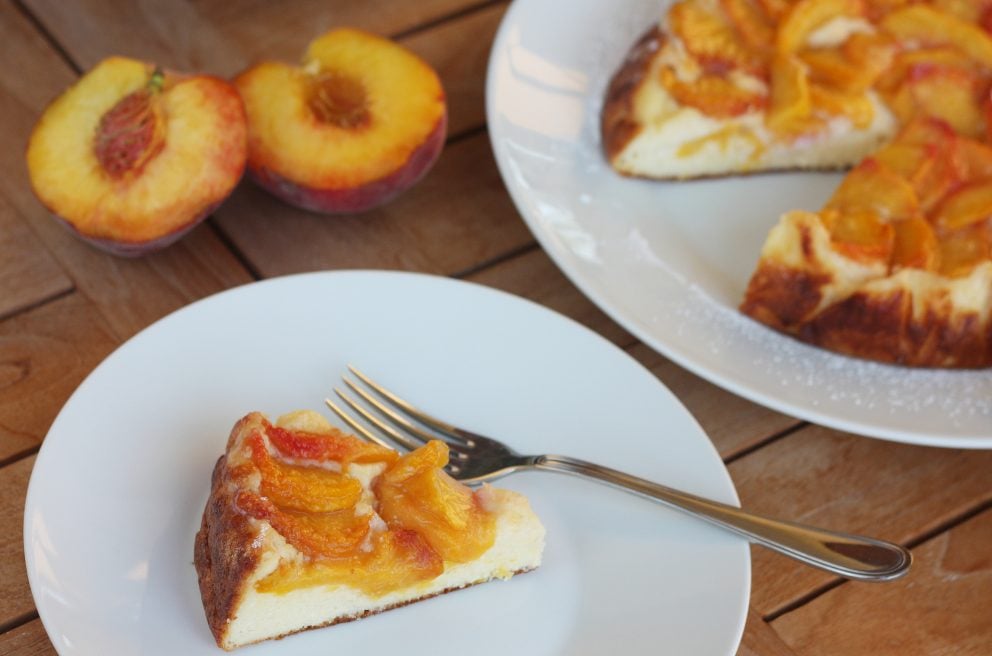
873	326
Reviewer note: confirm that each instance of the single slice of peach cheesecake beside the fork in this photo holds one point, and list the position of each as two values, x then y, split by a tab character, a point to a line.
307	527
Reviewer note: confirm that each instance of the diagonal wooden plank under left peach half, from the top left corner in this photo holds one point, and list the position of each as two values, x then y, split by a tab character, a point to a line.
130	293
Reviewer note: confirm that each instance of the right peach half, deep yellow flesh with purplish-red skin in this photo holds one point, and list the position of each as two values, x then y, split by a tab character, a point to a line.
361	120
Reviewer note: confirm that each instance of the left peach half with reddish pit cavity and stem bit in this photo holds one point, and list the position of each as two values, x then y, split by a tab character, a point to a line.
132	157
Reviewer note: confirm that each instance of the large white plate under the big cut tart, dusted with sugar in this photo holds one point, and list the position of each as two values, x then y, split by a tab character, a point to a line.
671	261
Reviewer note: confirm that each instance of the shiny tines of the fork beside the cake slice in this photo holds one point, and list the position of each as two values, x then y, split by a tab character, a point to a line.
392	418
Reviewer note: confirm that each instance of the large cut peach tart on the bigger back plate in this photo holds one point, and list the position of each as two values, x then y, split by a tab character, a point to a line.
897	267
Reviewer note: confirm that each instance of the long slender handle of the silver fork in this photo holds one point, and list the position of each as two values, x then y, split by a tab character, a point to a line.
850	556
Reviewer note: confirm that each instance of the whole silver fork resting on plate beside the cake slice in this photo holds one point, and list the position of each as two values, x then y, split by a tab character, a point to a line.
476	459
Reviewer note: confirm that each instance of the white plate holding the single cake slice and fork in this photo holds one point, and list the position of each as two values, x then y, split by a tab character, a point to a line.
121	480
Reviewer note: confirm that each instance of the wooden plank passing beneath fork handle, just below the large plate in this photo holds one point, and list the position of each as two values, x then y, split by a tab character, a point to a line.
893	491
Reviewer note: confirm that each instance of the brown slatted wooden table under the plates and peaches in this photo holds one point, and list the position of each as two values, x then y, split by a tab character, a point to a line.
64	306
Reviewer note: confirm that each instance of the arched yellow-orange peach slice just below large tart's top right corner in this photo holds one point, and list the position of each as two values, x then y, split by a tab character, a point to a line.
929	26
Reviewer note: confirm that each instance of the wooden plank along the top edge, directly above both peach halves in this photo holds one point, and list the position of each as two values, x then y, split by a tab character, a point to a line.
217	36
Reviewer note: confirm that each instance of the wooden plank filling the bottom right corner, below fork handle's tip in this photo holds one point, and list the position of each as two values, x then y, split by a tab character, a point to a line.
941	608
